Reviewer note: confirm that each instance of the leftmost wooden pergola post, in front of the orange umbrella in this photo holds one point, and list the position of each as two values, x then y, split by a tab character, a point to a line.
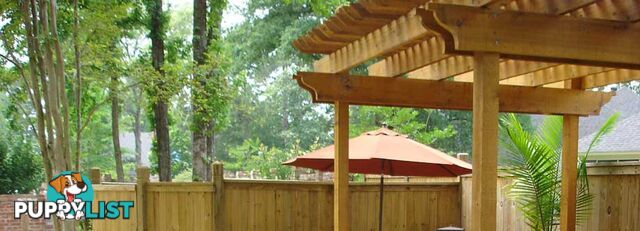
341	167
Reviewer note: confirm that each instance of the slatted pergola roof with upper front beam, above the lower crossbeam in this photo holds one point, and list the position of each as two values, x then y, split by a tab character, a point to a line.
541	42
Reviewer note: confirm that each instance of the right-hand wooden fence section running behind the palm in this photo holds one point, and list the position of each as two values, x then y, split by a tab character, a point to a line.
616	205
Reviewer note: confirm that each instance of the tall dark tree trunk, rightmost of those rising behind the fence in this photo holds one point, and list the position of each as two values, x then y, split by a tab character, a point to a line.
198	133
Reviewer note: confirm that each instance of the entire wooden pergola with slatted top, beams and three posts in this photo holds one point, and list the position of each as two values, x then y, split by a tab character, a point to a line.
488	56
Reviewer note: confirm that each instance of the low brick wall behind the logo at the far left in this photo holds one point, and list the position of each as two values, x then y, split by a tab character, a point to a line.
7	222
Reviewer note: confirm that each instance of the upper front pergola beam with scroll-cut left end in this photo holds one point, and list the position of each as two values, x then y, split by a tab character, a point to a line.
536	37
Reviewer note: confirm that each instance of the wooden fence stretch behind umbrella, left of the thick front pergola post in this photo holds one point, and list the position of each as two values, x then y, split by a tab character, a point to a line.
277	205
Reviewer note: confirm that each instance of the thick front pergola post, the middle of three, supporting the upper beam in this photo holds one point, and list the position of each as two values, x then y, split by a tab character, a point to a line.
485	141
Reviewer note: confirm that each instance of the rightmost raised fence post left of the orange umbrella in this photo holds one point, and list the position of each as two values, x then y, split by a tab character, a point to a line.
217	171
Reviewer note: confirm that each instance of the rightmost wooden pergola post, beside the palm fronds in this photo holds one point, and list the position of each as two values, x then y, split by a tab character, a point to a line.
569	166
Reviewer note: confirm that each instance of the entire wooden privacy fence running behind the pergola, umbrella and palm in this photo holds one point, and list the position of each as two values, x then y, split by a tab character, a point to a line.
285	205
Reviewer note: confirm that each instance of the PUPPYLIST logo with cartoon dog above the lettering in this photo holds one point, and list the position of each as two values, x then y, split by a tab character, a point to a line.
70	196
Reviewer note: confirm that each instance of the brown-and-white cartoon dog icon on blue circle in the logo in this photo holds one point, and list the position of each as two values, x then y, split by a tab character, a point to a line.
71	191
